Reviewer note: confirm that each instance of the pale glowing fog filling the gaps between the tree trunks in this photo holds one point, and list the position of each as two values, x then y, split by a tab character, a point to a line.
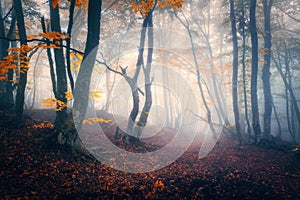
176	100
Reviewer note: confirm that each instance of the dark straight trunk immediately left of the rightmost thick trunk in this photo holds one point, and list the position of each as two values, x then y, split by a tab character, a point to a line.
254	71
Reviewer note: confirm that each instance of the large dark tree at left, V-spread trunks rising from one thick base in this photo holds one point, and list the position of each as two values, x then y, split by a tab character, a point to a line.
67	135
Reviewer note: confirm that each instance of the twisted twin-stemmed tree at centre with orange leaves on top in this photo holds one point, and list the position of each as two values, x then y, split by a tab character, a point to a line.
146	8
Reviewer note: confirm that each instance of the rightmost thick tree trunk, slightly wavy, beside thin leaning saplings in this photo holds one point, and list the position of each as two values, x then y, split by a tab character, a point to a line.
267	5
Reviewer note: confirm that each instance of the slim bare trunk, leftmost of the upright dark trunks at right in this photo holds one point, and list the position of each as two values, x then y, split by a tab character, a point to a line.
235	71
